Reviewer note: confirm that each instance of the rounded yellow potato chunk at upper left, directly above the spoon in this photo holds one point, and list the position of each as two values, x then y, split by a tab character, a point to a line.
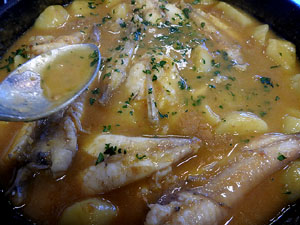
52	17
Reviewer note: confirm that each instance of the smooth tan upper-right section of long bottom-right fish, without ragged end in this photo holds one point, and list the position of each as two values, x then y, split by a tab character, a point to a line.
257	161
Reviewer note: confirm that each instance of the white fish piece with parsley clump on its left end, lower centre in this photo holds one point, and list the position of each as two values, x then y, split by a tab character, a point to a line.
144	156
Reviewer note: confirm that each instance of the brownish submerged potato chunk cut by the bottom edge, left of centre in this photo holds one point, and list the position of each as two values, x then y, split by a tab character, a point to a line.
91	211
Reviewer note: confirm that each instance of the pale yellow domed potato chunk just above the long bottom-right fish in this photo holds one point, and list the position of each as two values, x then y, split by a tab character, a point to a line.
242	123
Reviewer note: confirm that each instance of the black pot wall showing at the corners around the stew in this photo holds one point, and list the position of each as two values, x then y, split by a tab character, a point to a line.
17	16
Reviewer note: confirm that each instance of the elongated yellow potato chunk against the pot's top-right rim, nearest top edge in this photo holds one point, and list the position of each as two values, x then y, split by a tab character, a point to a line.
234	14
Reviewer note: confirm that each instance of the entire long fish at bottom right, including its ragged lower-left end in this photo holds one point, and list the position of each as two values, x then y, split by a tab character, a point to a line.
207	204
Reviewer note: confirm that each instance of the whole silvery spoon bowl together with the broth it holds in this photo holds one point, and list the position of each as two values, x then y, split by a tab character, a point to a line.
48	82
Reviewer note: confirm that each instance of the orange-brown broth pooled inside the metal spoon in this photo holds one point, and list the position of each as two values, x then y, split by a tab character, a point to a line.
67	73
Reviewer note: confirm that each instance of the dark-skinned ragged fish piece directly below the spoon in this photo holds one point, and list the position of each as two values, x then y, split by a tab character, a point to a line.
53	148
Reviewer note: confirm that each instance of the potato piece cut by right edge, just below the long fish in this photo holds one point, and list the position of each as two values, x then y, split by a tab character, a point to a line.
291	178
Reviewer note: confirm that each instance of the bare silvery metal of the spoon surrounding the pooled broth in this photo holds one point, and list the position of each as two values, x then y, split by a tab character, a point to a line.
22	97
